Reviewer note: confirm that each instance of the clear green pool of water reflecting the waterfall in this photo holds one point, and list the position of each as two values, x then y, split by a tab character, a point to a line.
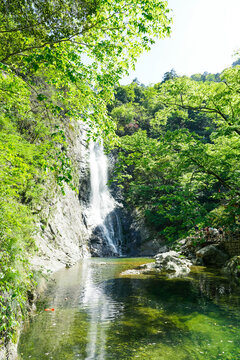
101	314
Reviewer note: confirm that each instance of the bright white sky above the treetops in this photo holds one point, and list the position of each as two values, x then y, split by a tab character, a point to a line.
205	35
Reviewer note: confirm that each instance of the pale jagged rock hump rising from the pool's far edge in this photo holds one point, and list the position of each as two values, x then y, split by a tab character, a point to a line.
172	262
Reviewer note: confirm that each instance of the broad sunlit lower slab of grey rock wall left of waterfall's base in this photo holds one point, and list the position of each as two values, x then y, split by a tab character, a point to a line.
64	239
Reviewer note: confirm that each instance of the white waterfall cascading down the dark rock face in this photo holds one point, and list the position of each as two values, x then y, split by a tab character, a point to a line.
102	215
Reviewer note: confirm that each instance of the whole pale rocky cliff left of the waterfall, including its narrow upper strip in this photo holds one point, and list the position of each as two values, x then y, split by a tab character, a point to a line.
62	238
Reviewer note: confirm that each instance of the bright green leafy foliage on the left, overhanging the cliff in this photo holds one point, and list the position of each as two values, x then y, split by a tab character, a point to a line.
59	62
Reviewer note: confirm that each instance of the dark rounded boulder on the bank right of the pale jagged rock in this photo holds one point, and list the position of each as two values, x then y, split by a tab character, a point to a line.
211	255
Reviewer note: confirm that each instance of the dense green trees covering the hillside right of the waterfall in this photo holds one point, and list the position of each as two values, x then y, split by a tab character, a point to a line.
180	149
